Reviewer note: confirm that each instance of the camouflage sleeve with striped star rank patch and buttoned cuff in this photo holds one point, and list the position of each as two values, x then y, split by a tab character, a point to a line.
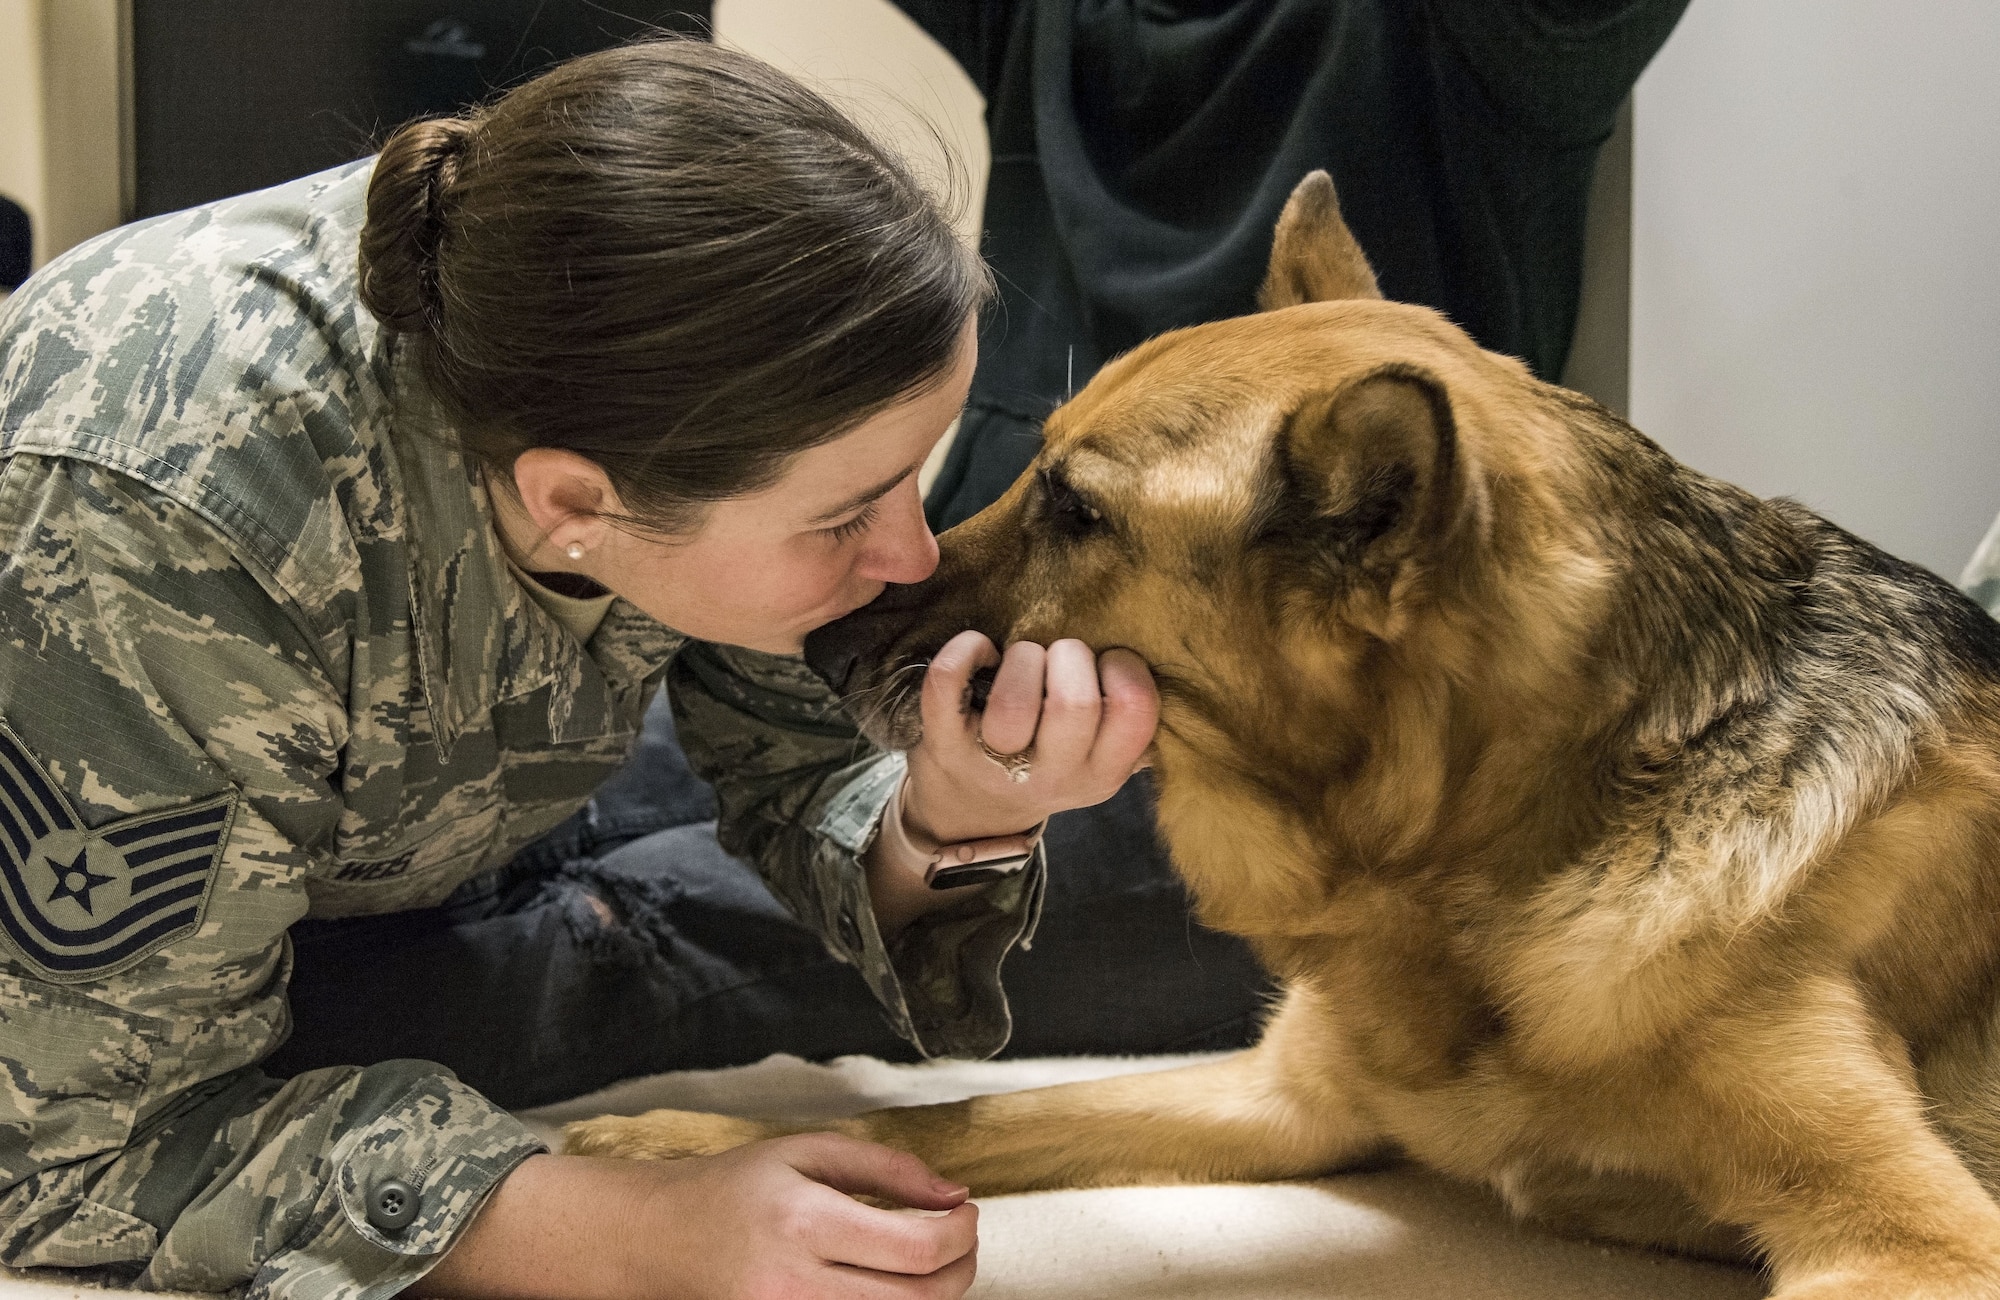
149	681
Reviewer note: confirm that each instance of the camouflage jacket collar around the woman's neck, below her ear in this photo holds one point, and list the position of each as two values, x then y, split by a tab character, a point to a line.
479	637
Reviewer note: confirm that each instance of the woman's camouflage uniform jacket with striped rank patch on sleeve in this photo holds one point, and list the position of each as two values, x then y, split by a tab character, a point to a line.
261	659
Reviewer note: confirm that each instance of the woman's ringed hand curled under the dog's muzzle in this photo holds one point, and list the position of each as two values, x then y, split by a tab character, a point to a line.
1089	719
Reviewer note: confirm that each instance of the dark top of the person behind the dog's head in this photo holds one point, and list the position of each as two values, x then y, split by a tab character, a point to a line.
1143	151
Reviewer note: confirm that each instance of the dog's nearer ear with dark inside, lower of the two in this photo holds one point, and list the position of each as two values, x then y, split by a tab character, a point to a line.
1367	475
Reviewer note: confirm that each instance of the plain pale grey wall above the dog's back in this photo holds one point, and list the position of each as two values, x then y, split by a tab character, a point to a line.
1817	261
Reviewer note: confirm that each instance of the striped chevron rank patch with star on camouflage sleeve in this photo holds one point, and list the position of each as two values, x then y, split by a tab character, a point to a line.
81	903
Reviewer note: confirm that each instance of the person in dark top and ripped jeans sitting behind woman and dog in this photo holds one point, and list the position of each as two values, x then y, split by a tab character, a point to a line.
1143	151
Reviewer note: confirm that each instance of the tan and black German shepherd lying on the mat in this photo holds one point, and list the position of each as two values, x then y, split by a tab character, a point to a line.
1621	841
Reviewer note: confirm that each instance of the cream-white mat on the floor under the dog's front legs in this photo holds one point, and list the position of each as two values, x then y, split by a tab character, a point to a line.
1359	1237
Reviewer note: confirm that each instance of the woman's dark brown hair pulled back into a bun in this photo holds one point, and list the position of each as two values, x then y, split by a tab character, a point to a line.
669	259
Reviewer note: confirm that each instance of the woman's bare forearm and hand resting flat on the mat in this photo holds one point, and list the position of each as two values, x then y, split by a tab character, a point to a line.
769	1219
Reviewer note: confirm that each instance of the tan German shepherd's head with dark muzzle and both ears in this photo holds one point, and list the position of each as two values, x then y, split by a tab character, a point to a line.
1263	509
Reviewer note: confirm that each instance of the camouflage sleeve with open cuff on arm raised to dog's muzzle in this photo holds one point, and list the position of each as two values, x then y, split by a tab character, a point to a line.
801	795
